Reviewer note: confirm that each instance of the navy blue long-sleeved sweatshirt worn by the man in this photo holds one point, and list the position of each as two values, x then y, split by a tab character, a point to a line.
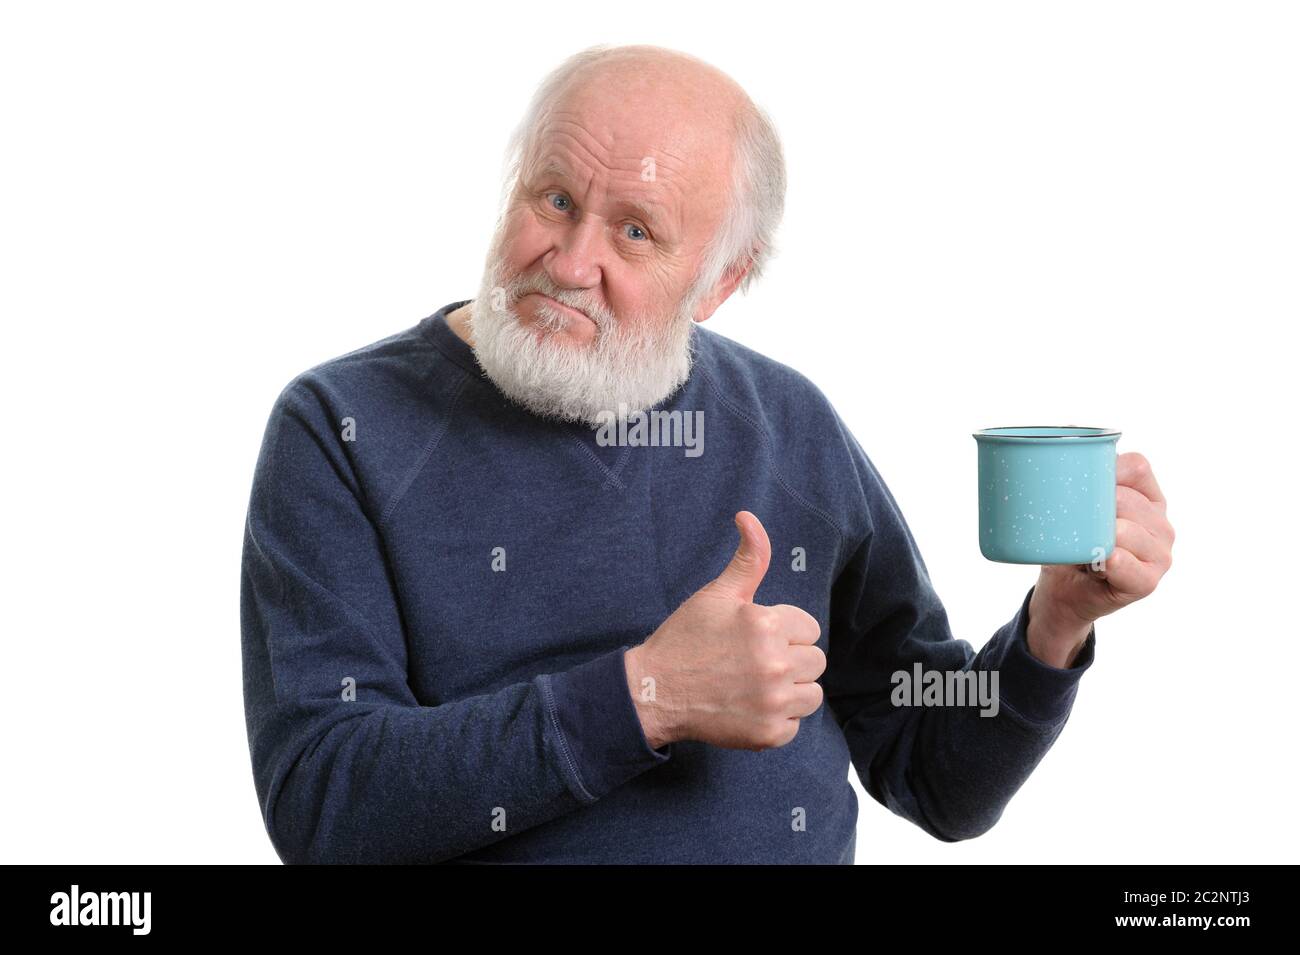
439	589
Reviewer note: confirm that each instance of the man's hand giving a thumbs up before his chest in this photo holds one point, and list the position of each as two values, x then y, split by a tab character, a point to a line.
727	671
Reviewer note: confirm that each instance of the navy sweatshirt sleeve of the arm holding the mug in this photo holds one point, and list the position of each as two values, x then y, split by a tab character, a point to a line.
950	770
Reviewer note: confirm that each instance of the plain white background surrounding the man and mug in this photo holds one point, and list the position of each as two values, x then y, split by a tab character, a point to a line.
998	214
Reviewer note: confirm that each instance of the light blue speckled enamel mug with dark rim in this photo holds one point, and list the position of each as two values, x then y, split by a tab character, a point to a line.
1047	494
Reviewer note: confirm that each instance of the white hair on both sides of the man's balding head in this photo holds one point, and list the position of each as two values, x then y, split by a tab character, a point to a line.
748	228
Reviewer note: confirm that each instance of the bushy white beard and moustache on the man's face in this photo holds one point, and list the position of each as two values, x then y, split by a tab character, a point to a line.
630	367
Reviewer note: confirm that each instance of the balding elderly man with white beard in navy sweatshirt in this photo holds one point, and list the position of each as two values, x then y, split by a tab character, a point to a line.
489	618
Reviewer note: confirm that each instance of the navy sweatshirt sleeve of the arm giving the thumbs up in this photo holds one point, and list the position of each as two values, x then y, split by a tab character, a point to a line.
349	767
